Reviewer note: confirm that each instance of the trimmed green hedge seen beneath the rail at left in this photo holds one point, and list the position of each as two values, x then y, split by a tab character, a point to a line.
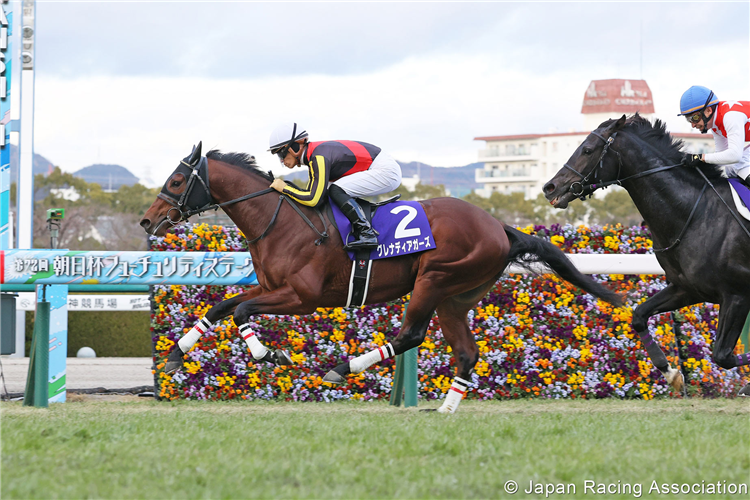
124	334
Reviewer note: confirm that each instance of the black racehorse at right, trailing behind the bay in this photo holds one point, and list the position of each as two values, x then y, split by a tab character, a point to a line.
702	246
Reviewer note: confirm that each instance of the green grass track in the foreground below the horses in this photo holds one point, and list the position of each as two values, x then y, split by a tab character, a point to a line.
136	448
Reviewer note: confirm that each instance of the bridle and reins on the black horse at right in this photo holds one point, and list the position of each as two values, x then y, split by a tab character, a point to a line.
587	188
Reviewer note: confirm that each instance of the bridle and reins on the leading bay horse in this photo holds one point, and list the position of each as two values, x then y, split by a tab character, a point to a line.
185	212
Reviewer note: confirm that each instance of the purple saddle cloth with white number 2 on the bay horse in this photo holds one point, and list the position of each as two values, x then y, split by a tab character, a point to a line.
402	226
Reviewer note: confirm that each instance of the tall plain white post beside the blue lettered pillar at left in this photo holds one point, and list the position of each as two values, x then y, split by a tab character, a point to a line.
26	156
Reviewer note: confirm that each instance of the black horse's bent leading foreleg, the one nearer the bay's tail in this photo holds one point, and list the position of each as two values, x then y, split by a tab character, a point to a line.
669	299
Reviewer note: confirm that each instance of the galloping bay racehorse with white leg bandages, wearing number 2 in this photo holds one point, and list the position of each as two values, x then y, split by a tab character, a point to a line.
301	264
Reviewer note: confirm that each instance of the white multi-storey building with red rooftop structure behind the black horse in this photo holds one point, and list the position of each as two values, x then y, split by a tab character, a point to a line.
524	162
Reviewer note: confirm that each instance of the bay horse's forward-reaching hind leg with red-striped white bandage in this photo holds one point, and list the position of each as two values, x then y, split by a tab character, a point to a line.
412	333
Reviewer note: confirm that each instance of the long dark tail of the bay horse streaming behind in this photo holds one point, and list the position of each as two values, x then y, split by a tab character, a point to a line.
525	250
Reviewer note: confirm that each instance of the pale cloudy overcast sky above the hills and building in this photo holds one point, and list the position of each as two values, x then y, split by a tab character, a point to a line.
138	83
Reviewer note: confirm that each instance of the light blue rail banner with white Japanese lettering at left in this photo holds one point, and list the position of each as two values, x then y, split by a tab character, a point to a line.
66	267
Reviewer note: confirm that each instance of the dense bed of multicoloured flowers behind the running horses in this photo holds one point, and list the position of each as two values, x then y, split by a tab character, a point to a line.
538	336
